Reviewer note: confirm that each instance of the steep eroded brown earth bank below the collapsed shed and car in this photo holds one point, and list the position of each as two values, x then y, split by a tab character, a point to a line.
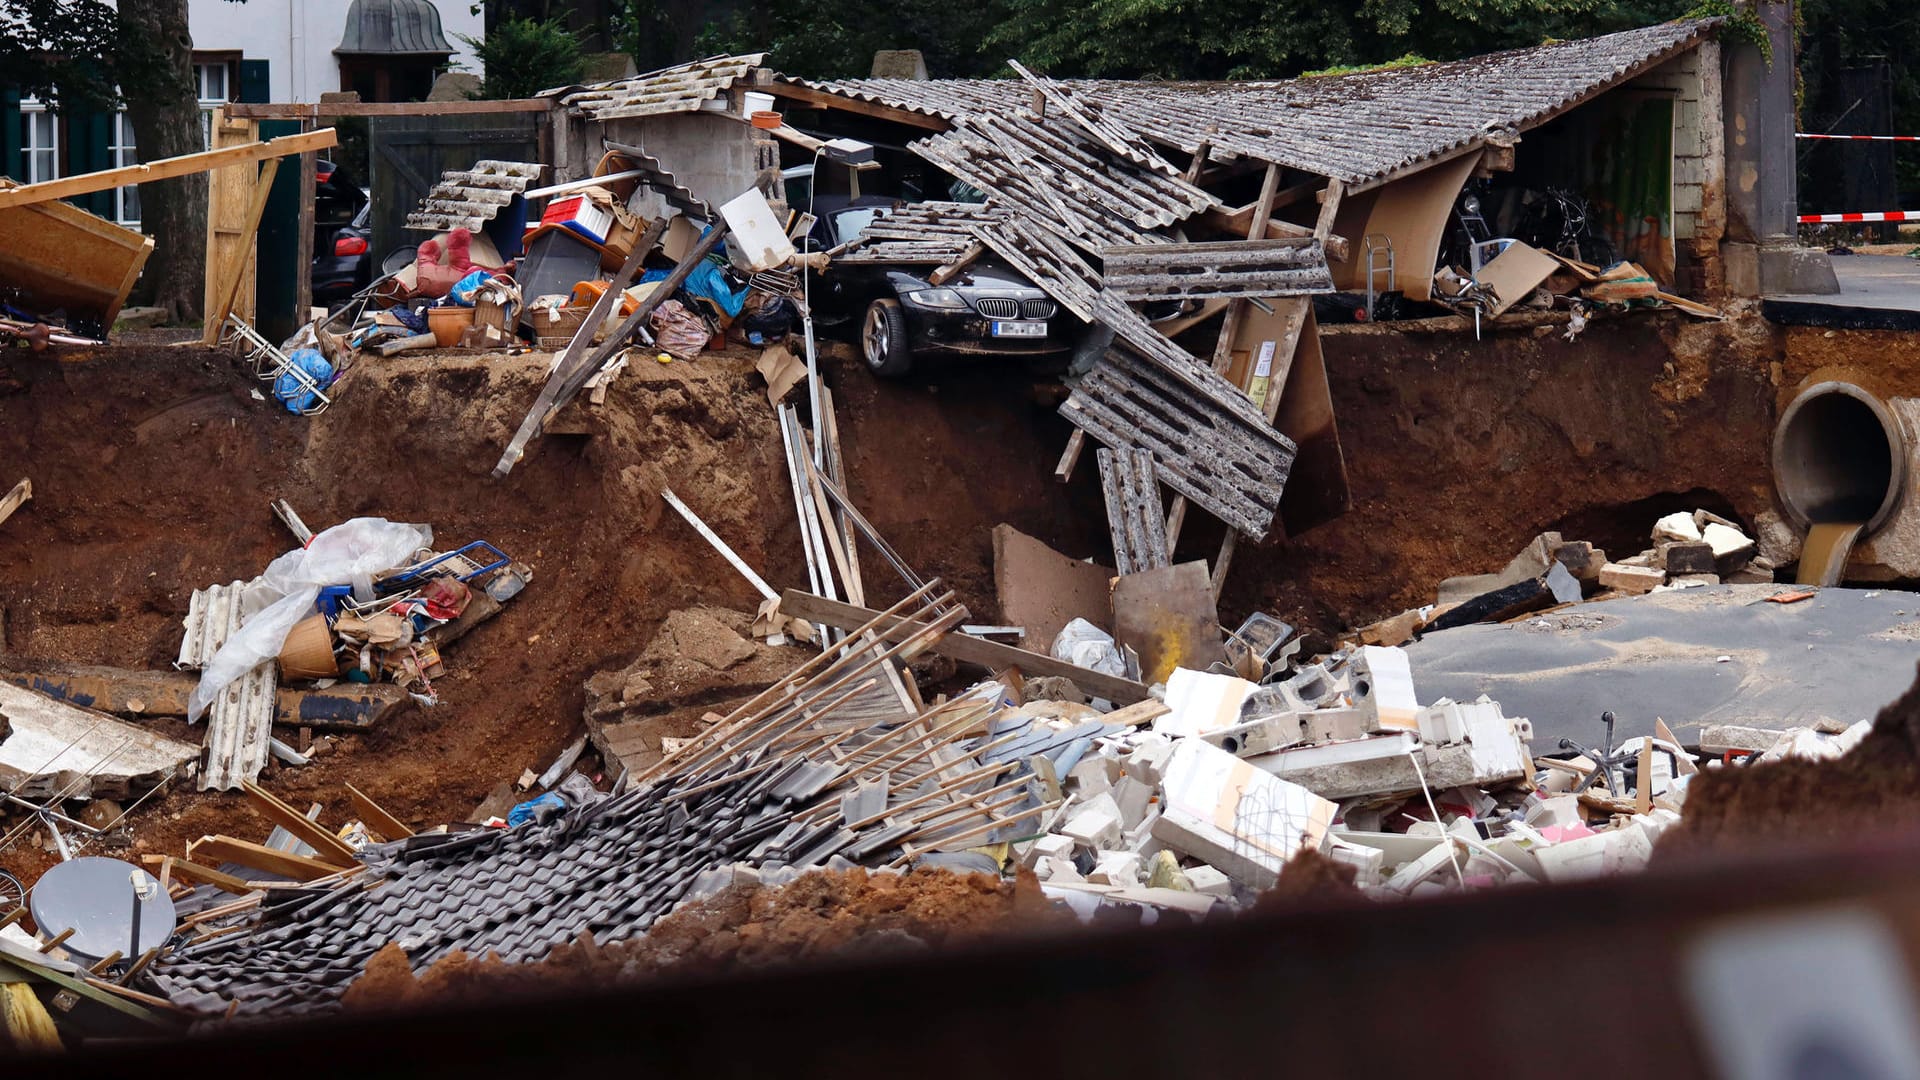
155	466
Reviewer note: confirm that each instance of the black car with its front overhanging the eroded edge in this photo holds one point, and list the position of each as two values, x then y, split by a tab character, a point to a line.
988	310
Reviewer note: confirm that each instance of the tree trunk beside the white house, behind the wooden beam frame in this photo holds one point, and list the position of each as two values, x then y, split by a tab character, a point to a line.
162	105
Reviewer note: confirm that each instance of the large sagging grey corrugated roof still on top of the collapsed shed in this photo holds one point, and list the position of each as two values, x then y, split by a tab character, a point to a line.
1351	128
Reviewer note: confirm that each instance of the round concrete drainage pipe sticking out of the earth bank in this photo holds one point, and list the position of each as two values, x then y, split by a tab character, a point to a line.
1838	458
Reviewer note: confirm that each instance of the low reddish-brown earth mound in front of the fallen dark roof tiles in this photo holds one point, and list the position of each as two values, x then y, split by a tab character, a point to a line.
746	927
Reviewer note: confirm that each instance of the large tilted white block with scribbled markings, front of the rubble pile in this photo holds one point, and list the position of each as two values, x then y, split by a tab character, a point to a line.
1243	822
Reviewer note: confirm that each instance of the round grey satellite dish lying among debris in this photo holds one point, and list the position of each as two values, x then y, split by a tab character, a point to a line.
107	904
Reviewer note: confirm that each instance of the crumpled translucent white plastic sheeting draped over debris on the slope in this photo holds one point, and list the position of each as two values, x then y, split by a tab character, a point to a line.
287	591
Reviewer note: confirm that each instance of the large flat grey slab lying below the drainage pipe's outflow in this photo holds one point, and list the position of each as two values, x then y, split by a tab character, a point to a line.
1842	654
